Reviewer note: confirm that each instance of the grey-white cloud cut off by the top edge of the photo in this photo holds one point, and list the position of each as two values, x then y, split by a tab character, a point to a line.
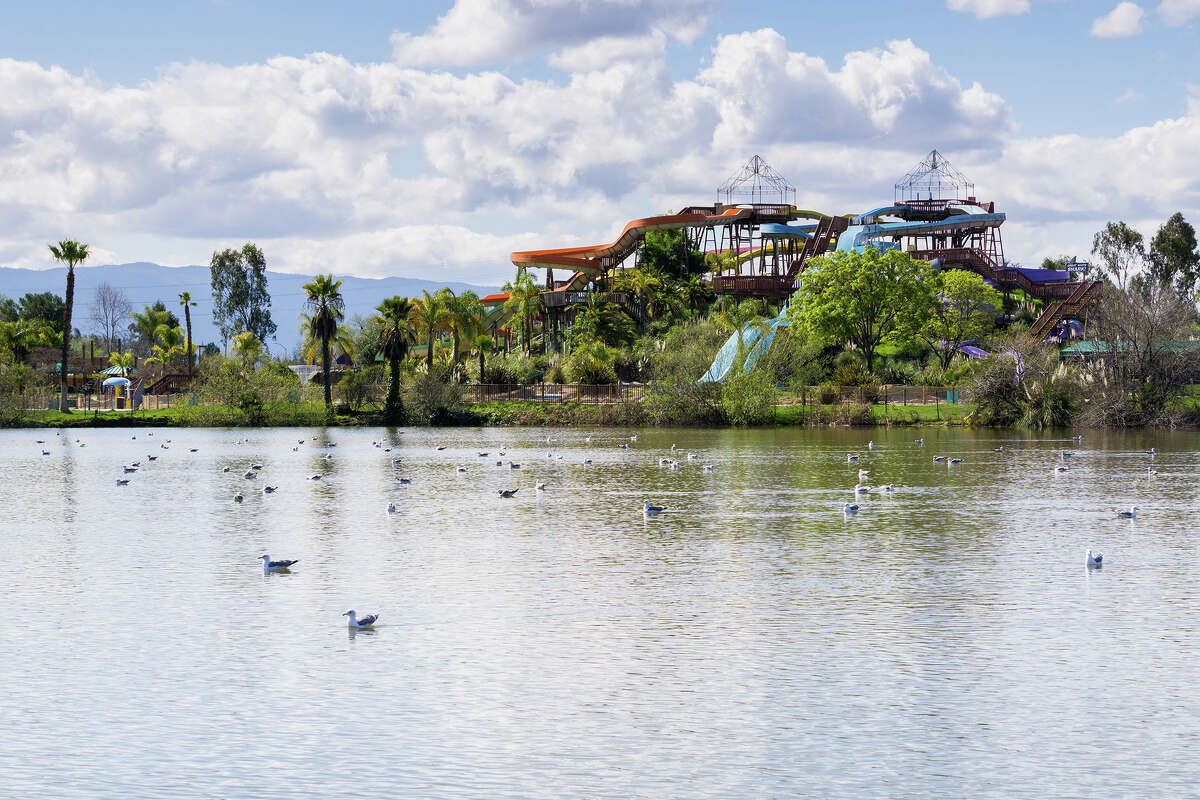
497	32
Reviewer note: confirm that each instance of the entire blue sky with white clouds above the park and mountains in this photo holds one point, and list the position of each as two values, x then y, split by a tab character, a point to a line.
430	140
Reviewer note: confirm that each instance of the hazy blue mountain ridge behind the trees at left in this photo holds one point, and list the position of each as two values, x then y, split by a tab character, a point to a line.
146	284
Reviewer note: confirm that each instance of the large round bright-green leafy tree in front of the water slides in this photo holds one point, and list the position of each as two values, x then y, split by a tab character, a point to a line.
868	298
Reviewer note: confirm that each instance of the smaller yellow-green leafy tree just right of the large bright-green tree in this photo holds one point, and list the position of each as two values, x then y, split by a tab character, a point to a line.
965	310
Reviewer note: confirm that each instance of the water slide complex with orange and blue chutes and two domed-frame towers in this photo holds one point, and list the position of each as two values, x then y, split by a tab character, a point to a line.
764	242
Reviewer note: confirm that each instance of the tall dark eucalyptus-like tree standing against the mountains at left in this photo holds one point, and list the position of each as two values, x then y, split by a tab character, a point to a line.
241	300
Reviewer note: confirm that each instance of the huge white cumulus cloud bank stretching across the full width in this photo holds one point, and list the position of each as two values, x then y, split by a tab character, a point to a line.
385	170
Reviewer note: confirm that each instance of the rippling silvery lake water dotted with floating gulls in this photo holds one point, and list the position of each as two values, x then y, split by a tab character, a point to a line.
751	642
